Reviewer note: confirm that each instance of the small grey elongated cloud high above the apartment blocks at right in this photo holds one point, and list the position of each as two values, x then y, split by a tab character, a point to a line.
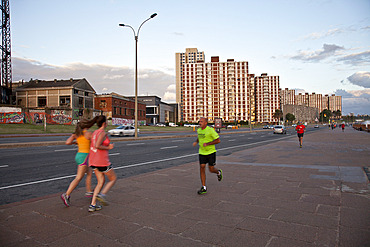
327	51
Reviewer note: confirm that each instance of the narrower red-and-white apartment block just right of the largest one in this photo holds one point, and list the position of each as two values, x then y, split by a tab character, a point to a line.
266	97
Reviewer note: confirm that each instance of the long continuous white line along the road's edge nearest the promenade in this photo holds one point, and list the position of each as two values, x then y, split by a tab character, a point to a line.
139	164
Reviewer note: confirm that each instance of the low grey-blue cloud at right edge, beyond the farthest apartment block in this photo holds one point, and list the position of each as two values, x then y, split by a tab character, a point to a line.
355	101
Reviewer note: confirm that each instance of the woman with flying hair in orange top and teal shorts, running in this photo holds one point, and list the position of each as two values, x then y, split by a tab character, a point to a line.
81	137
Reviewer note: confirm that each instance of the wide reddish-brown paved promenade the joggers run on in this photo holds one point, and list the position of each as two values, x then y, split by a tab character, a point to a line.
272	195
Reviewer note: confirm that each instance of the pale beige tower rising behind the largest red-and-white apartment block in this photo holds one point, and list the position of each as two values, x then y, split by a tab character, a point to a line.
191	55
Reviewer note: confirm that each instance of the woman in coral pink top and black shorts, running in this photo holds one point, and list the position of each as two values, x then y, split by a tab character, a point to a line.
99	162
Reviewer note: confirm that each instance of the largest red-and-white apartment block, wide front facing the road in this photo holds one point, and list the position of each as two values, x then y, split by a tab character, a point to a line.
215	90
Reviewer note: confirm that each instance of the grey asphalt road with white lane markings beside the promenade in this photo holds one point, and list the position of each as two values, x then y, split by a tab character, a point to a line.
38	171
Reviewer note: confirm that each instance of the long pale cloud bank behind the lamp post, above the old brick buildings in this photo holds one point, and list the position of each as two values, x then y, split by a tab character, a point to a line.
103	78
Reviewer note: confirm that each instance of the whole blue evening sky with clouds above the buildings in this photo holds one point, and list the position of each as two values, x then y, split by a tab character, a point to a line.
320	46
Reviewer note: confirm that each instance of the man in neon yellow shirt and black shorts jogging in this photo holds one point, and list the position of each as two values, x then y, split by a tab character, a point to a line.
207	138
